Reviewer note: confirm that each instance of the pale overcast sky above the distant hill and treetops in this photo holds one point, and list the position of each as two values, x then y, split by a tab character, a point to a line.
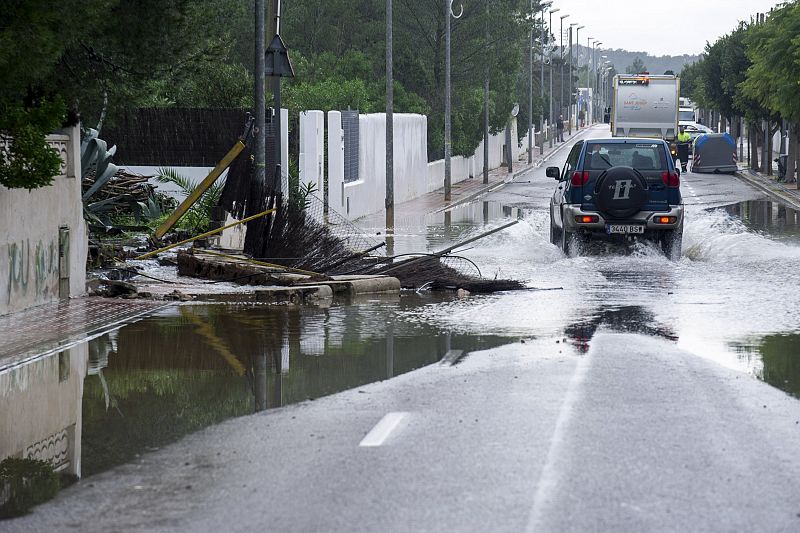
659	27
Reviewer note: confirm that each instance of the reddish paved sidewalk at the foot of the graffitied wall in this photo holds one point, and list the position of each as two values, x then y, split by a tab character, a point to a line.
46	329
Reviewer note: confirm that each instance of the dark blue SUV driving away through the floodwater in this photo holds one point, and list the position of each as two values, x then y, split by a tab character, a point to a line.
617	189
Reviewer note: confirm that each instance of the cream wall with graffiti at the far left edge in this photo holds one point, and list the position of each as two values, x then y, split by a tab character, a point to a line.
29	233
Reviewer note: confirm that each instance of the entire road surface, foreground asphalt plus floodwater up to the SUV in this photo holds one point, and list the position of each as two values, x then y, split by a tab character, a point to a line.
621	388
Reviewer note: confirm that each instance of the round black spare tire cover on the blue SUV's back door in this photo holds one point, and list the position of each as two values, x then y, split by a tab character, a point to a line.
620	192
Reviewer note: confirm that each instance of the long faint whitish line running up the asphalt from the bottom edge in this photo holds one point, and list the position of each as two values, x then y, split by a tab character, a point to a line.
548	479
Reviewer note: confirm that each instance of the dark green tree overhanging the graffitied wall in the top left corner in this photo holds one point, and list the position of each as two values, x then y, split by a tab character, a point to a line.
96	57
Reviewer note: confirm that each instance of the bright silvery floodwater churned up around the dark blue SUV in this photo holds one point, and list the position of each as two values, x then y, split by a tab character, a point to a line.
733	296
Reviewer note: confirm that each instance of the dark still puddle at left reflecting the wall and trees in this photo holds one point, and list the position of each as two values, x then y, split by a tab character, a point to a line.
150	383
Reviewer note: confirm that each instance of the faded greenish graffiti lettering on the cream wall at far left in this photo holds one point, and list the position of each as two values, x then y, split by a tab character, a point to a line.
32	271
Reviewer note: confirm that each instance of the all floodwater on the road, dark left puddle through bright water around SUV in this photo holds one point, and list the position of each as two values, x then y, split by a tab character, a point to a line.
733	298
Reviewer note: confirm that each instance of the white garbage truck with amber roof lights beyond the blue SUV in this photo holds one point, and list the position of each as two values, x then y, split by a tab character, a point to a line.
645	105
